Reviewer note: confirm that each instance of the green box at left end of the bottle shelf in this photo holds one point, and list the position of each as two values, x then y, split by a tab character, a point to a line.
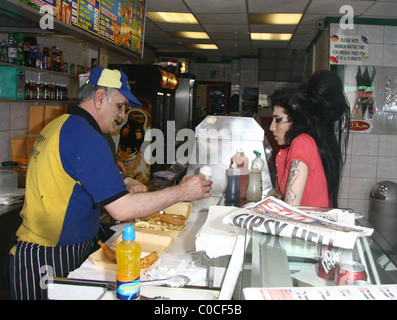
12	83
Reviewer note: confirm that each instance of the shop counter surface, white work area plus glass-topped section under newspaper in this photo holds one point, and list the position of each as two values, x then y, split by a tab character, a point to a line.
256	260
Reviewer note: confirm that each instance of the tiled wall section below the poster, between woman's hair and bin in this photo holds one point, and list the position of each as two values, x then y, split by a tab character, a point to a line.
371	158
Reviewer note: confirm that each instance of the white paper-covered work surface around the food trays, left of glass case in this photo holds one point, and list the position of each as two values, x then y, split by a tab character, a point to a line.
180	258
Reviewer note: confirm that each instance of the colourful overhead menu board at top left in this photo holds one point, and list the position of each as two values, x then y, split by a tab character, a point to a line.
120	22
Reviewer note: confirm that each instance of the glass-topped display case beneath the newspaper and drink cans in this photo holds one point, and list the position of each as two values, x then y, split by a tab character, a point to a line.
274	262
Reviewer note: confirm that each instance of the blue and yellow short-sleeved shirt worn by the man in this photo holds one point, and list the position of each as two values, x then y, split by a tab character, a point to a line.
71	174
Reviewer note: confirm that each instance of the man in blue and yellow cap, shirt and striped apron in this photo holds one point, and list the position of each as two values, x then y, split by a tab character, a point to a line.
71	175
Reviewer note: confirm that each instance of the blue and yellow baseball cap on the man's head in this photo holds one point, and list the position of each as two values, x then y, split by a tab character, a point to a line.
113	79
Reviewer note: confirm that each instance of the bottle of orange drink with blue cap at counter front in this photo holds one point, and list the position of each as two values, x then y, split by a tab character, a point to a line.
128	254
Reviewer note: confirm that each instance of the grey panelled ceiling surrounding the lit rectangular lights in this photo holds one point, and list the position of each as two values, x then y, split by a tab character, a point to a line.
226	22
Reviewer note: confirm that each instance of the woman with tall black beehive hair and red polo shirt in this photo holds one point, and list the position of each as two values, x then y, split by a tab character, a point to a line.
310	159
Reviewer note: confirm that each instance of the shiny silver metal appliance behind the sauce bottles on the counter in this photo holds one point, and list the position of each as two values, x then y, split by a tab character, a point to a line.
218	138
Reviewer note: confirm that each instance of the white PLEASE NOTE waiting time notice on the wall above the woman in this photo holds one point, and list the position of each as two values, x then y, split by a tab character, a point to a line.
348	49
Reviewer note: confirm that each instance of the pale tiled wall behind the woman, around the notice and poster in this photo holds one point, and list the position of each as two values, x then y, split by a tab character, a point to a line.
372	156
